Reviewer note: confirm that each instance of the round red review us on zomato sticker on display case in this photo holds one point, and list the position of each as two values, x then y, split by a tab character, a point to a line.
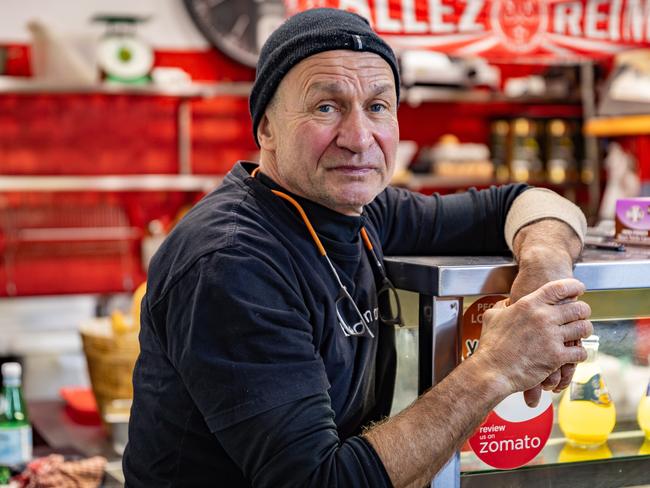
513	433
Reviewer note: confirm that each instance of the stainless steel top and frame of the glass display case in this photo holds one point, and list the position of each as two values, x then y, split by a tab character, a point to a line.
442	282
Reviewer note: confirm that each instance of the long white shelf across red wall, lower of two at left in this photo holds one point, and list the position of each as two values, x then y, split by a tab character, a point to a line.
188	183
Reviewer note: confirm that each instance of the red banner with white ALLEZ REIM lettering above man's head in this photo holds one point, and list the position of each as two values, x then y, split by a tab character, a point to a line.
504	29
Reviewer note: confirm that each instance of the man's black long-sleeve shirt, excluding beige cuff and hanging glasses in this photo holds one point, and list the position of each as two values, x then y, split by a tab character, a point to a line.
245	377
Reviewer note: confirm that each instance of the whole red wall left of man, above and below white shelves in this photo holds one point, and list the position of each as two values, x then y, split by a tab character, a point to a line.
95	134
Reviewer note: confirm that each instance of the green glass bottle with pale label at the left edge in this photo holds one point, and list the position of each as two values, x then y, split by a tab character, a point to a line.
15	429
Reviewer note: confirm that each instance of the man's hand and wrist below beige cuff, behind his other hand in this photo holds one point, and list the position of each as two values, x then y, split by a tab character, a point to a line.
545	251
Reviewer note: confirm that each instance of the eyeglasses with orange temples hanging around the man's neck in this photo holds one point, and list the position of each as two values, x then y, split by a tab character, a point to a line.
391	311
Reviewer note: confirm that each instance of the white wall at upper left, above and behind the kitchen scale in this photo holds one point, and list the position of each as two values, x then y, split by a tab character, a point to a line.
170	26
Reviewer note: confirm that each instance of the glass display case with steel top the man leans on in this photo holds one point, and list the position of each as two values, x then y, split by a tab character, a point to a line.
437	290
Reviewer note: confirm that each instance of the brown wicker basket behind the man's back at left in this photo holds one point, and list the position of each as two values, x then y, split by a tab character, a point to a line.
111	358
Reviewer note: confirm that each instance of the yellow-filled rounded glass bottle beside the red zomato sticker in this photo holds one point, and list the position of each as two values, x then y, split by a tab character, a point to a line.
587	414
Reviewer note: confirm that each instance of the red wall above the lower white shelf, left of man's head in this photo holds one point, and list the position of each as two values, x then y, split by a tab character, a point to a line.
110	134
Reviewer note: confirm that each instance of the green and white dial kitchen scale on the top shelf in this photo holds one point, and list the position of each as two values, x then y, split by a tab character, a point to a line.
122	56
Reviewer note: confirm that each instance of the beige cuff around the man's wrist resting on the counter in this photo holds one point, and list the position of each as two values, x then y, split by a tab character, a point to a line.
540	203
